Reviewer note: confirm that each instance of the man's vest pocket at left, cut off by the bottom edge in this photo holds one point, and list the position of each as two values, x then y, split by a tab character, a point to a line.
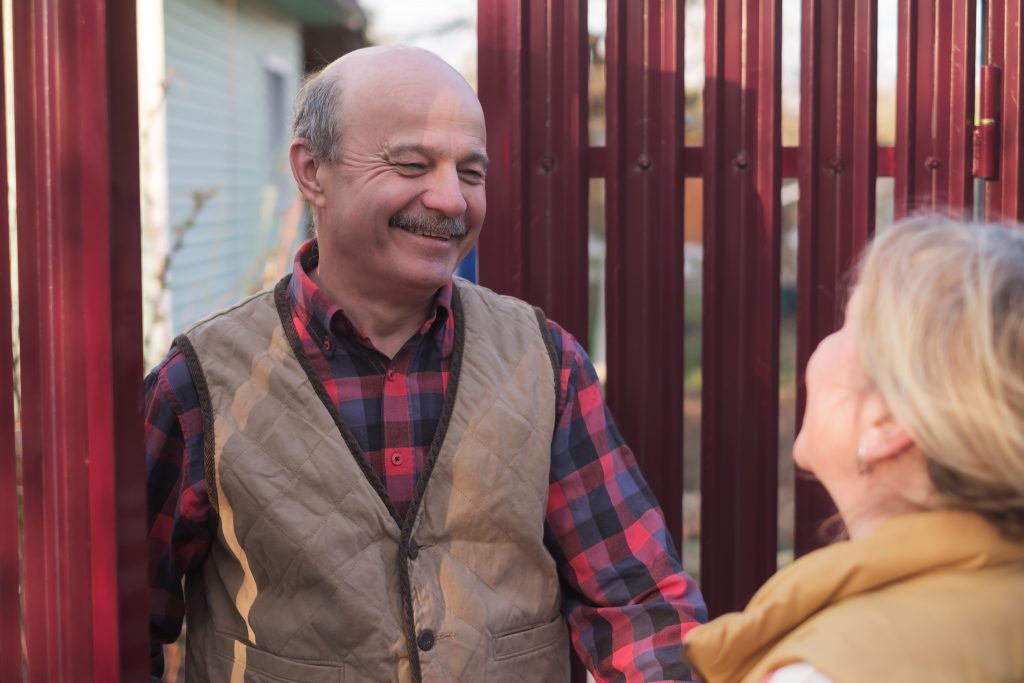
236	658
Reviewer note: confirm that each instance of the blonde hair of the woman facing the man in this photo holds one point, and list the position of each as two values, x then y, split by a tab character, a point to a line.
942	332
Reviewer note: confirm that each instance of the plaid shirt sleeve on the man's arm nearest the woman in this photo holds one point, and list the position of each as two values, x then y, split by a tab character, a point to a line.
626	597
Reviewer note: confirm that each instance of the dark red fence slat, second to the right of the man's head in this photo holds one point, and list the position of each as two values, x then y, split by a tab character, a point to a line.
645	223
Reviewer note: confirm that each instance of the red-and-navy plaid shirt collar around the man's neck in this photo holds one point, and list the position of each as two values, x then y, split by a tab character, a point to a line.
321	314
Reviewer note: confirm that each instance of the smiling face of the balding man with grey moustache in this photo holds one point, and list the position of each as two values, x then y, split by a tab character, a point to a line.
406	201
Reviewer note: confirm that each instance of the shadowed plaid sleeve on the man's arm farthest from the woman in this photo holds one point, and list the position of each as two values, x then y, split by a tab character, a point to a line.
180	530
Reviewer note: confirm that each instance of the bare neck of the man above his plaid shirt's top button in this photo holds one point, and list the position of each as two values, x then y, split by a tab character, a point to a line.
388	322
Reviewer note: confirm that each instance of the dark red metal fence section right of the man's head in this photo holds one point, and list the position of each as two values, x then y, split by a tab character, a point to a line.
542	157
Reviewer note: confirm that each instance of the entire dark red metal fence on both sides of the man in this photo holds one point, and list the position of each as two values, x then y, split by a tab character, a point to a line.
83	580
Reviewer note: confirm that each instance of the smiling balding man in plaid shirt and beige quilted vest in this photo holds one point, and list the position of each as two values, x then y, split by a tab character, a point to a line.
375	474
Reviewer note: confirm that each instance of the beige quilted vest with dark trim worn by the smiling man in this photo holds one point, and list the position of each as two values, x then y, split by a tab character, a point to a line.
313	578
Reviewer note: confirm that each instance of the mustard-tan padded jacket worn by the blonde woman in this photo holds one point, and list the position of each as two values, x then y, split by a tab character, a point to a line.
933	596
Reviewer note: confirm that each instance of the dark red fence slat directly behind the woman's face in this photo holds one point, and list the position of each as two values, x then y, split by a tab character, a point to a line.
838	170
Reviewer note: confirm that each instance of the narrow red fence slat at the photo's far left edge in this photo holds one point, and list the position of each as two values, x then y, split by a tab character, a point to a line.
11	613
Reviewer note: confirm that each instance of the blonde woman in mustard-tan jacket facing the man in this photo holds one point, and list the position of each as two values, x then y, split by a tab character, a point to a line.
915	424
